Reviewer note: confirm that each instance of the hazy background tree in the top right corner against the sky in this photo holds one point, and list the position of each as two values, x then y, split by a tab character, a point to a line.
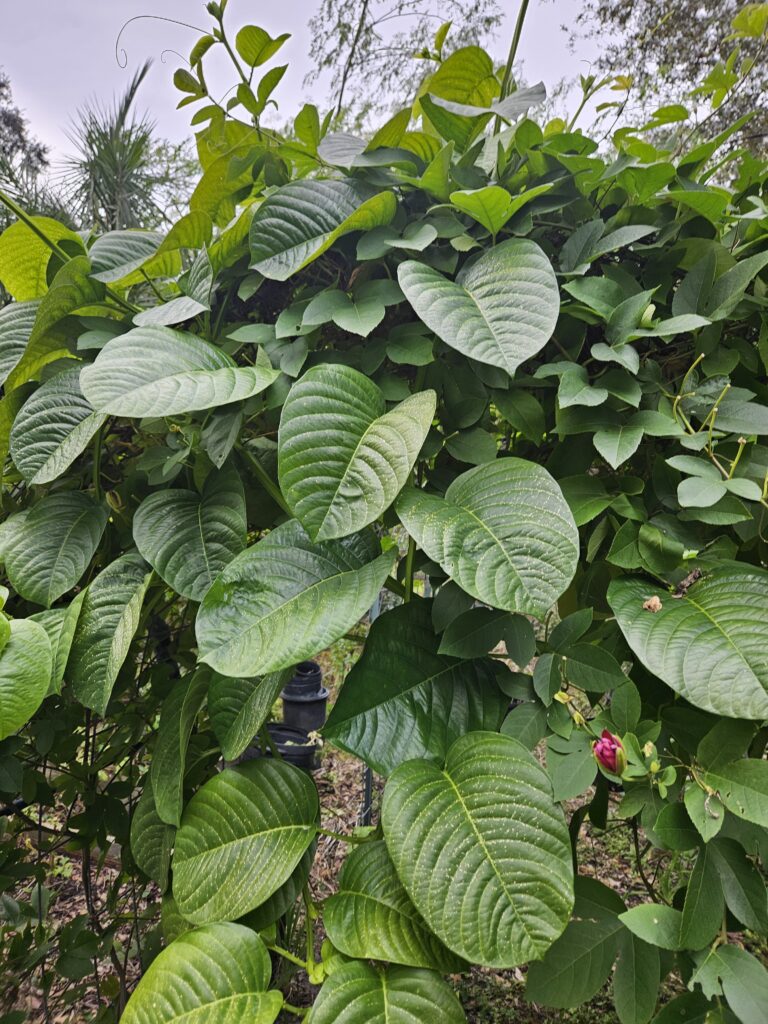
669	47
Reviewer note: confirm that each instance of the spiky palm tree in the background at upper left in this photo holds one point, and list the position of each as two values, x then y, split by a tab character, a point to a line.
111	183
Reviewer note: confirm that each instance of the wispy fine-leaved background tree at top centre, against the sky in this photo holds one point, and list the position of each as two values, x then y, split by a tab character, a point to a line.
363	41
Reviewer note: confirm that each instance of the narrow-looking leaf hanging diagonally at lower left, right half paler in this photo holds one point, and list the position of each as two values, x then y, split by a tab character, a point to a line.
109	620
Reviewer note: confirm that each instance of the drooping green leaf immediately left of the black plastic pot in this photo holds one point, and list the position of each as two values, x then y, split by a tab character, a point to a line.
238	708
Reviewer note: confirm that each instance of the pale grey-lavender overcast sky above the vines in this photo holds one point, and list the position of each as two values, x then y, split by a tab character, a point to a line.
60	54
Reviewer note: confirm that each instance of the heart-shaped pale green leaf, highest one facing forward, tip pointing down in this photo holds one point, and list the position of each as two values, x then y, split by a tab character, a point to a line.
501	310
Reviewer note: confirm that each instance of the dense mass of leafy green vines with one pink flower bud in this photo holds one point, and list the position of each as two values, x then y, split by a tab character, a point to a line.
516	377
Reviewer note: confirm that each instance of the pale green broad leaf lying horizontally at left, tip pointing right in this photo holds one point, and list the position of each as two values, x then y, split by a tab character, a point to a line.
156	371
